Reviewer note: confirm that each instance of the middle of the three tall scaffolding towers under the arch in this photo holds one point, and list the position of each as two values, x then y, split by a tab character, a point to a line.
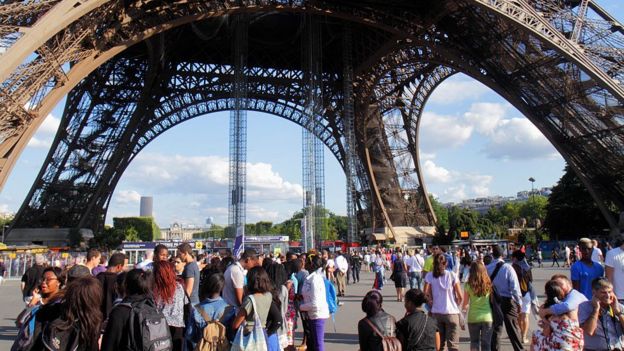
313	161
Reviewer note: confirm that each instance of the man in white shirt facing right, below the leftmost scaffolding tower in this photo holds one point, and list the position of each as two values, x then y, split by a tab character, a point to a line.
235	277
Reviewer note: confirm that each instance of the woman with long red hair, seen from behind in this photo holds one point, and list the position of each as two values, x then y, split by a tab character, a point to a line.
170	299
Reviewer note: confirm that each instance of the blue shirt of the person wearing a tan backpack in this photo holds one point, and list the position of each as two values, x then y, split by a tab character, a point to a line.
215	309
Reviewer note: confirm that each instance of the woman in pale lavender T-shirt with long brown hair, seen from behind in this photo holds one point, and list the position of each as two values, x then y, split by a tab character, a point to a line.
444	293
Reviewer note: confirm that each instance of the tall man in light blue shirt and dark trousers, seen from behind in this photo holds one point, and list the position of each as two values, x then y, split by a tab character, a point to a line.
505	280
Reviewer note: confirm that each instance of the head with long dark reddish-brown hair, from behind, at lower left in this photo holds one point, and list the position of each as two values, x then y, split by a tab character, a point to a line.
83	298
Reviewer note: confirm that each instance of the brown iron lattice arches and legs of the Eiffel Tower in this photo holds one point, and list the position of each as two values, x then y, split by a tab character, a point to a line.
131	70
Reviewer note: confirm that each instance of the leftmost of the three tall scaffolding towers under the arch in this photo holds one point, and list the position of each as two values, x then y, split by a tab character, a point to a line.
238	135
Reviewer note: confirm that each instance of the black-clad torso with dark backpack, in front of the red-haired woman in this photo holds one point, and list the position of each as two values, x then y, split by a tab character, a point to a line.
152	326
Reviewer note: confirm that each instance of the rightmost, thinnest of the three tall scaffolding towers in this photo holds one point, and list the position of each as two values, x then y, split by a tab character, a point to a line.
349	133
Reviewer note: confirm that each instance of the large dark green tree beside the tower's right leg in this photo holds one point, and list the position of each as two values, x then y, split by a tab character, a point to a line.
571	211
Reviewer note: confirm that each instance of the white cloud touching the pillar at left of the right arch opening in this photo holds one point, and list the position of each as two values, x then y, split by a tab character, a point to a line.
439	131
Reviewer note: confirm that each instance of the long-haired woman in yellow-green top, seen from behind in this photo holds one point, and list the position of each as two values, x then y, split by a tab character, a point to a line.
477	292
